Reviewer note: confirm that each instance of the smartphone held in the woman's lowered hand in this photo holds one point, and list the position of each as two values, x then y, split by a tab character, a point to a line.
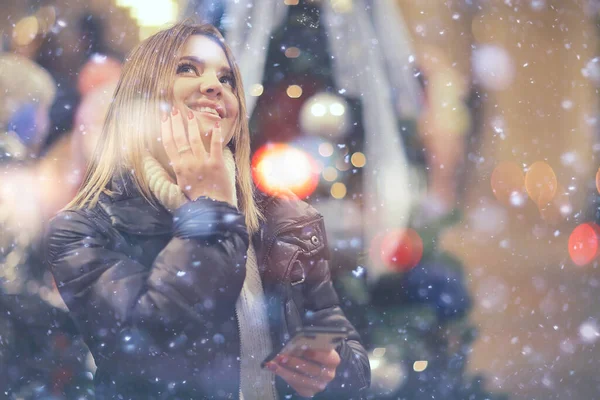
314	338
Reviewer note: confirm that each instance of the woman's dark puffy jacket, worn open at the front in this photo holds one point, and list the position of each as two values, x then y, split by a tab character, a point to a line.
154	294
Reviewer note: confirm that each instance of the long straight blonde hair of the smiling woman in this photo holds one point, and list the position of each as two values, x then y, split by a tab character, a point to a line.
133	120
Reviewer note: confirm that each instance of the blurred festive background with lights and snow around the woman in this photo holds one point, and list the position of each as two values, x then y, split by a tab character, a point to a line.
450	145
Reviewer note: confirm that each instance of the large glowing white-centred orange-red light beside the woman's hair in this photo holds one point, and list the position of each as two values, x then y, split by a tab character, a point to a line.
278	167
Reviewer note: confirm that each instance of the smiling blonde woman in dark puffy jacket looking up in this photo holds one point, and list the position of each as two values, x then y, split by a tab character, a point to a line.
179	278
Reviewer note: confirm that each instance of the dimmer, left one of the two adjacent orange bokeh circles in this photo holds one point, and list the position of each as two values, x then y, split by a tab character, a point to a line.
508	183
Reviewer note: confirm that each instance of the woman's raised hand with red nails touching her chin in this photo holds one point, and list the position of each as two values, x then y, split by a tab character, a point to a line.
199	172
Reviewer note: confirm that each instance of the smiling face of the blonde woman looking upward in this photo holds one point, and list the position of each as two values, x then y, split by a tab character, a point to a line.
204	84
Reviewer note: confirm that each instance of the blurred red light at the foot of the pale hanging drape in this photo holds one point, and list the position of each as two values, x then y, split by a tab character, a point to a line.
399	249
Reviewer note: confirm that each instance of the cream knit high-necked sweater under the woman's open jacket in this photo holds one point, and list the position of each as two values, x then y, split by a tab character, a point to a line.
255	342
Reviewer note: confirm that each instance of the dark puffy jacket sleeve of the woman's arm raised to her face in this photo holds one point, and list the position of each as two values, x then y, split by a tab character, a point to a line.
131	313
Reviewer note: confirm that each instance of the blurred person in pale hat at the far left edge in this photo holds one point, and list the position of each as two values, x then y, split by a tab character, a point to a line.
41	354
